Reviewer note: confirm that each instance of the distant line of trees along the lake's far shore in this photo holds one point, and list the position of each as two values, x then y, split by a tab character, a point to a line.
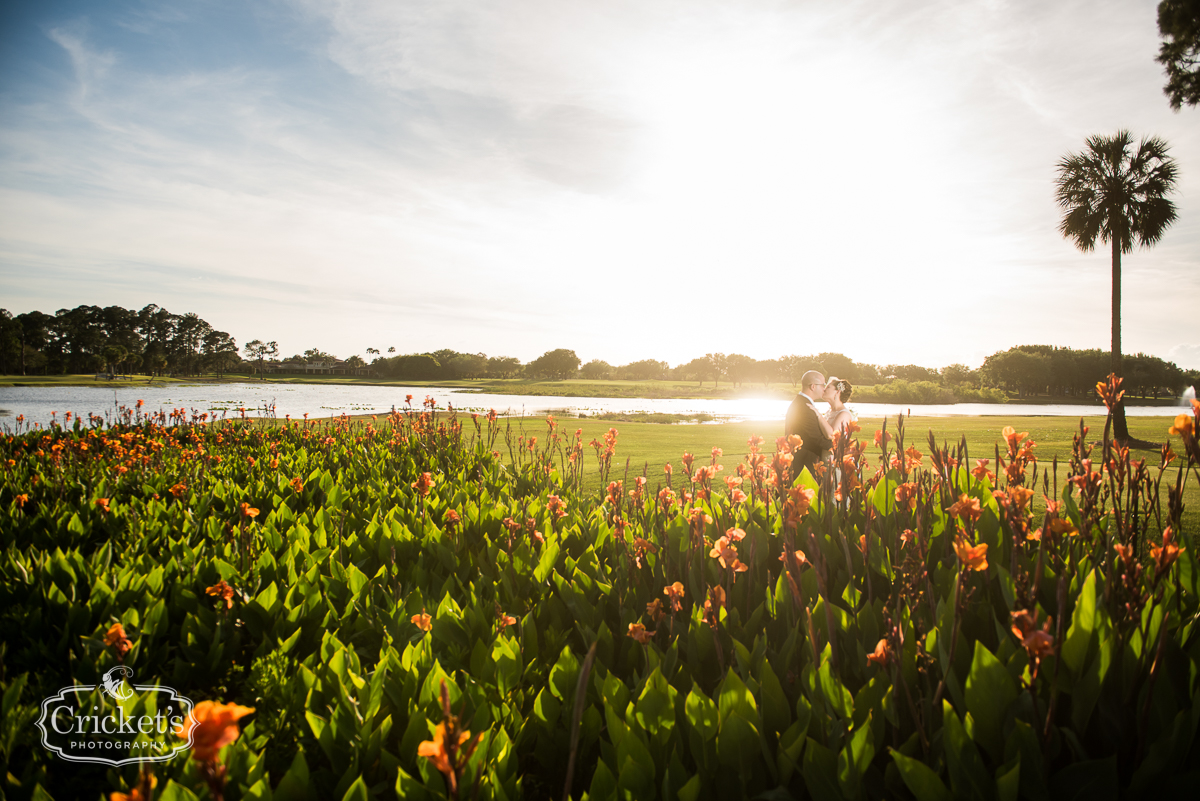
154	341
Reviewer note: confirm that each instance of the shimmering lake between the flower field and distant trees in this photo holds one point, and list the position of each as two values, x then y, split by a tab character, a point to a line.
323	401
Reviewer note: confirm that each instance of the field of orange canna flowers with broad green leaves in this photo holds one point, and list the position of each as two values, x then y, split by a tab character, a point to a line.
429	606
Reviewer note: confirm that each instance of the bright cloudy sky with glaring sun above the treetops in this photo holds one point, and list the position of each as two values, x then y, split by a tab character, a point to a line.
628	179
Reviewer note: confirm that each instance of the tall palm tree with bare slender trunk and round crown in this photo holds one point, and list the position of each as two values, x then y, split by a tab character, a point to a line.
1115	192
